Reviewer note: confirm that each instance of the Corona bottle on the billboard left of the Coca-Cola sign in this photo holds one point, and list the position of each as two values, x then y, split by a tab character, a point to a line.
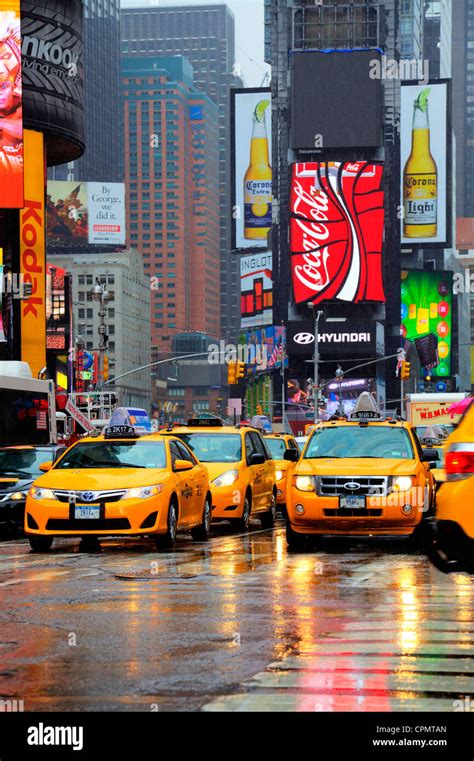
258	180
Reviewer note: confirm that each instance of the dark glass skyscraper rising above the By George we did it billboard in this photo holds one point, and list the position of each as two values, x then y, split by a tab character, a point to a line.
103	157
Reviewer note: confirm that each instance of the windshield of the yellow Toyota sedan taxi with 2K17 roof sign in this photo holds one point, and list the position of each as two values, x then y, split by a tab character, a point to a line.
115	454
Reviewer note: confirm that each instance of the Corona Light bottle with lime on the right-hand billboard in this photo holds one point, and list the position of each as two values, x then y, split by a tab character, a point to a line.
420	178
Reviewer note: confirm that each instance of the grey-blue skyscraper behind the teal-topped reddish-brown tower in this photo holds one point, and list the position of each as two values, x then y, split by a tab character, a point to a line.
205	35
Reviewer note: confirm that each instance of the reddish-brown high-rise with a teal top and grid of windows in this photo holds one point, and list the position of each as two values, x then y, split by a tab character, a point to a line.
172	173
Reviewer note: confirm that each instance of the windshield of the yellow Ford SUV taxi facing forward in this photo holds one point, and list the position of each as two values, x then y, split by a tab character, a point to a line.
376	442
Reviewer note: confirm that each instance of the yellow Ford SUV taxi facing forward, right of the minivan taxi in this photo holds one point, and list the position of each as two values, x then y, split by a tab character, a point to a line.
364	475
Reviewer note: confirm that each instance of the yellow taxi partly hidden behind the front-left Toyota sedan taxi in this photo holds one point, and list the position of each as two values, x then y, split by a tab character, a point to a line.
240	467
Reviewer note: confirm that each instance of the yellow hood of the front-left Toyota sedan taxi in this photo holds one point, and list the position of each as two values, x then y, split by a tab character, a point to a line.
85	479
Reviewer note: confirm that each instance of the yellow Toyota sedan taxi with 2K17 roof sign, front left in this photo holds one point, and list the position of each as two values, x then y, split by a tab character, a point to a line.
120	484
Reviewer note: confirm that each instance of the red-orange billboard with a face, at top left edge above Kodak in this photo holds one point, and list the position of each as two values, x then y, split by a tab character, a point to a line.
11	107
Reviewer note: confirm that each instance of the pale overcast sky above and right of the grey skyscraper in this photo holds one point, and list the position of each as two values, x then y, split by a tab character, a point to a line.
248	31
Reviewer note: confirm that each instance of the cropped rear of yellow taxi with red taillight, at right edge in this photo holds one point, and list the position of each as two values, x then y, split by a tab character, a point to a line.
453	523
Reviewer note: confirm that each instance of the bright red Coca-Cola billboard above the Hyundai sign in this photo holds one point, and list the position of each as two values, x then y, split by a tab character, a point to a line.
336	232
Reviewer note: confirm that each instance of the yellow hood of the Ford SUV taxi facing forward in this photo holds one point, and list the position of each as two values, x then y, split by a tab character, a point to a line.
348	466
